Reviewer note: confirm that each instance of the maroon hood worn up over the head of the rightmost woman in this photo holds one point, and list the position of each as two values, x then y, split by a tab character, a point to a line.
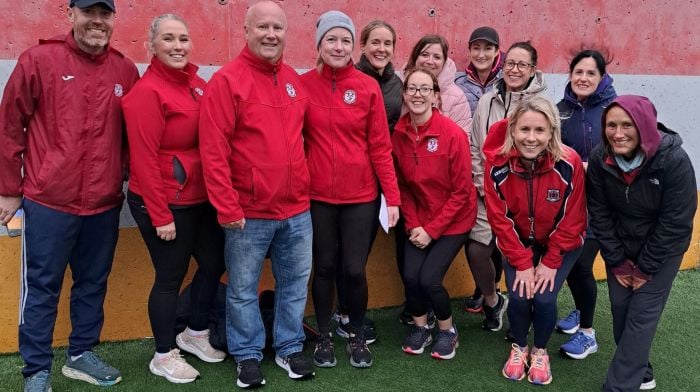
643	114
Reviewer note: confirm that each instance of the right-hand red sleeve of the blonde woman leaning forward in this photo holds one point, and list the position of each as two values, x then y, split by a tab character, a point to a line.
568	232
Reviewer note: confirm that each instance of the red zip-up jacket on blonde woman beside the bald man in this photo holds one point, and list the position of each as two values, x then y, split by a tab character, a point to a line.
162	119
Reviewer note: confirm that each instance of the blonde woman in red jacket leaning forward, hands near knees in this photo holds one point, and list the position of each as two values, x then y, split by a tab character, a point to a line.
536	205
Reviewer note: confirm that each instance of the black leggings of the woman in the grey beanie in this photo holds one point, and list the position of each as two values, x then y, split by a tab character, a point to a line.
342	237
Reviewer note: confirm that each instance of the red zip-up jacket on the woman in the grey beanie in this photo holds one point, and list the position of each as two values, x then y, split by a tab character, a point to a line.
347	138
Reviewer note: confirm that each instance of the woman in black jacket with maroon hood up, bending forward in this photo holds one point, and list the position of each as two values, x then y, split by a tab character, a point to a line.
642	198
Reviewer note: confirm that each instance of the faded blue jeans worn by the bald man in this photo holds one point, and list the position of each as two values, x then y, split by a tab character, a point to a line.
289	242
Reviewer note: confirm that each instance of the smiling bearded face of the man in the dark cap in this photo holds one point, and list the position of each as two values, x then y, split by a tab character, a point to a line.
92	27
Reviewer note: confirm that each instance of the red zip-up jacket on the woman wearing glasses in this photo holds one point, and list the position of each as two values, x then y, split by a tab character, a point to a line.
435	176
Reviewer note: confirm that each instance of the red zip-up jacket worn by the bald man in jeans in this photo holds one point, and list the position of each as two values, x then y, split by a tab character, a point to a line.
250	140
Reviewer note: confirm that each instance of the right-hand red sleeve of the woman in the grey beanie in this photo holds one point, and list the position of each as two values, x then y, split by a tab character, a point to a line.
379	143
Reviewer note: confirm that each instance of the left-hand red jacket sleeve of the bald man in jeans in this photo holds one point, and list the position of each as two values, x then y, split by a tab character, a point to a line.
216	127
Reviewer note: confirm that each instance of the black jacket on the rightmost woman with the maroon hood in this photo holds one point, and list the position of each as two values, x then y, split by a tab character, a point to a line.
651	219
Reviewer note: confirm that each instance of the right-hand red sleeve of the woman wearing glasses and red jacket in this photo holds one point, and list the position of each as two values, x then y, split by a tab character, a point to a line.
462	186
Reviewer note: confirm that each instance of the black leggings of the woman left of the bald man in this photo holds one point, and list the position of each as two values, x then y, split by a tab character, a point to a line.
197	234
